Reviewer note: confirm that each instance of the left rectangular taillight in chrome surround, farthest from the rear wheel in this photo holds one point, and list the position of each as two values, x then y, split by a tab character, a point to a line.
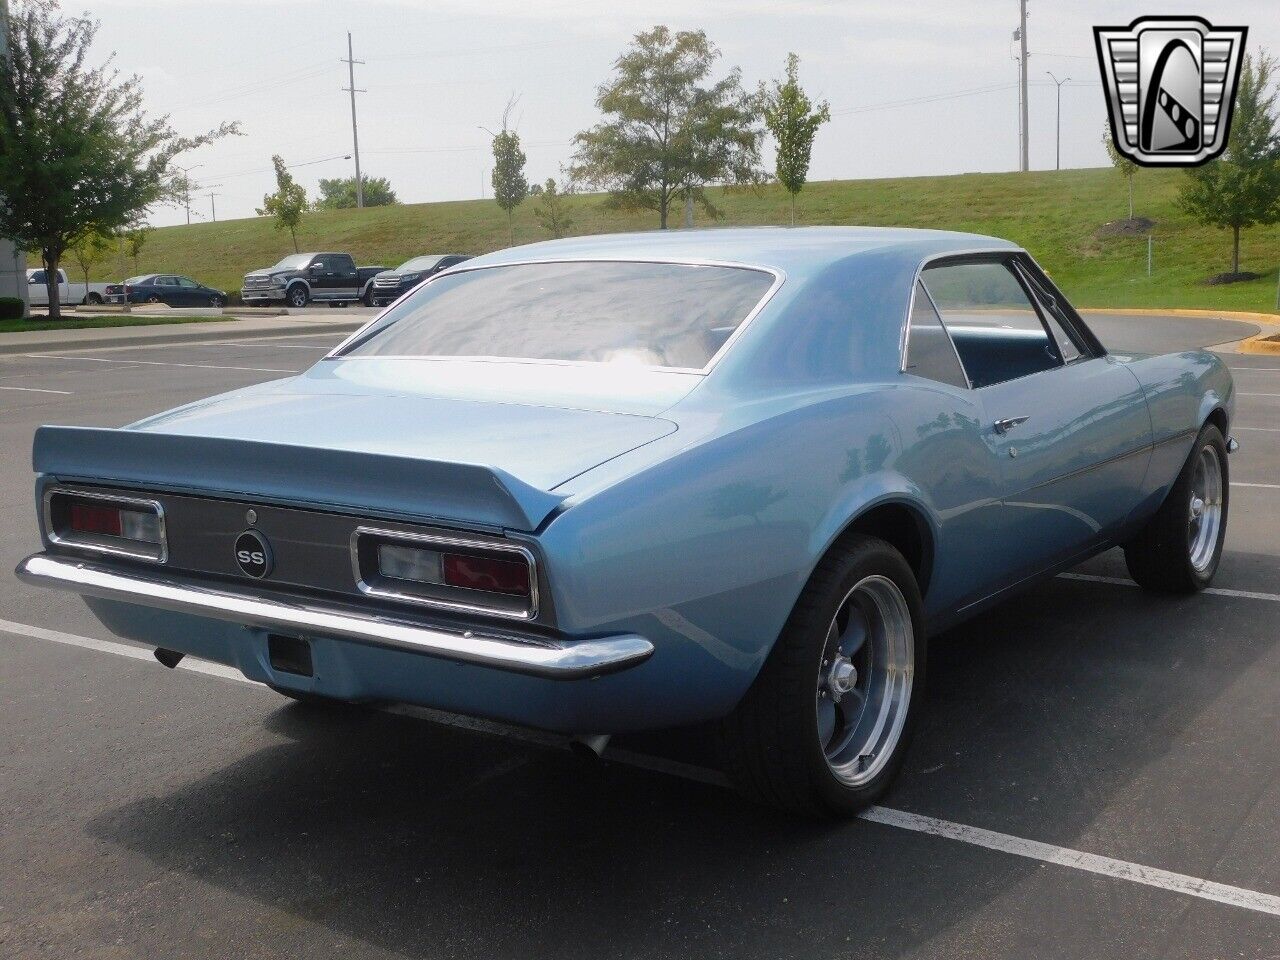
107	524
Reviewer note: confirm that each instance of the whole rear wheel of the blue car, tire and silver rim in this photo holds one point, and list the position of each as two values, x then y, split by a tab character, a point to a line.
825	729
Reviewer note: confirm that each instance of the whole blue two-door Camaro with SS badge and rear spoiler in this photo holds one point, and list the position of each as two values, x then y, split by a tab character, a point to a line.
634	482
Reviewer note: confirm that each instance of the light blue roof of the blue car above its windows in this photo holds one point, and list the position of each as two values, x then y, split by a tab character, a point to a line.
793	250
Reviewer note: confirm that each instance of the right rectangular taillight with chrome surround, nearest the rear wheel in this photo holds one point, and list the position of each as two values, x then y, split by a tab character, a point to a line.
445	572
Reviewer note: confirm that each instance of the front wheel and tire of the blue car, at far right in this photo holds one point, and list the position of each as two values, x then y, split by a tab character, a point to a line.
1172	555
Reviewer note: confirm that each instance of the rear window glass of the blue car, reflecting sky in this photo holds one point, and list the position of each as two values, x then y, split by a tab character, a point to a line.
669	316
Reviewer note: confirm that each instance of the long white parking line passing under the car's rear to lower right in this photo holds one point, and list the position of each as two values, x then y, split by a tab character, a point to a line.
975	836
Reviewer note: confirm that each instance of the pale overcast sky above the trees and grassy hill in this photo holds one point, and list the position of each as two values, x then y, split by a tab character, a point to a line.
916	86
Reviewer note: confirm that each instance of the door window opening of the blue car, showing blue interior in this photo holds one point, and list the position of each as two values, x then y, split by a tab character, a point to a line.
993	321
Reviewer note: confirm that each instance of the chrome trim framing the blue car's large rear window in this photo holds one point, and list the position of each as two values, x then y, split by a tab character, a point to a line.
779	280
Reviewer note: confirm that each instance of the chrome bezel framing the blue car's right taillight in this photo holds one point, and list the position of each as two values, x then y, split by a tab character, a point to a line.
372	583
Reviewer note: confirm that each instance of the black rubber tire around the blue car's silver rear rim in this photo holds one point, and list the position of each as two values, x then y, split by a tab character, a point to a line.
772	747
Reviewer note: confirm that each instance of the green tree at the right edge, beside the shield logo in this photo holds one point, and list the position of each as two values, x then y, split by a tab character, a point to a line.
1242	189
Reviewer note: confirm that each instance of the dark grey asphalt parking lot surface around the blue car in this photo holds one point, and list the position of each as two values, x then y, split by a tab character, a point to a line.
1098	776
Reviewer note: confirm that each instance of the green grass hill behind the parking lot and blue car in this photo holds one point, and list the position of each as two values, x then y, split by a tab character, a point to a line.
1057	216
